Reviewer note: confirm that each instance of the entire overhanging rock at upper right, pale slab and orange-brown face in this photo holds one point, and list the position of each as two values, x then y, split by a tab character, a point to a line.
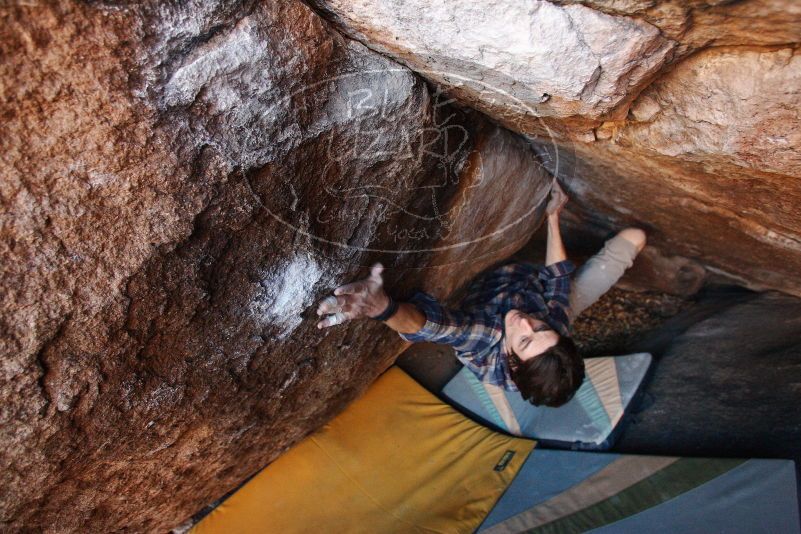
681	117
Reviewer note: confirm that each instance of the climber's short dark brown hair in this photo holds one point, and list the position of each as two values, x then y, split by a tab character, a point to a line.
551	378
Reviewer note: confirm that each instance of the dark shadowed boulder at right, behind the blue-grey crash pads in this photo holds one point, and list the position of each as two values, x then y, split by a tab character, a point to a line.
727	380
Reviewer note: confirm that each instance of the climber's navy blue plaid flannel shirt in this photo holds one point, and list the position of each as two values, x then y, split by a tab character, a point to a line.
476	329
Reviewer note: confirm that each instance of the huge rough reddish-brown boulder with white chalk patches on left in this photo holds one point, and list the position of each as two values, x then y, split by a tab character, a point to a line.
181	184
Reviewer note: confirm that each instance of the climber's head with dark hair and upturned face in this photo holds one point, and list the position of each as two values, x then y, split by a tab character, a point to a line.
545	366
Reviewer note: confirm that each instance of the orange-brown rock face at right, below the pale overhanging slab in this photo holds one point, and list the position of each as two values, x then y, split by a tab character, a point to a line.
713	166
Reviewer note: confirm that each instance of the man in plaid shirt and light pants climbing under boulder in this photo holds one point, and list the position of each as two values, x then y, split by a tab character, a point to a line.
512	329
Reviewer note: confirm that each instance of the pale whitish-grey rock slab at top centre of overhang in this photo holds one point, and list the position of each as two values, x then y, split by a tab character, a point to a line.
500	54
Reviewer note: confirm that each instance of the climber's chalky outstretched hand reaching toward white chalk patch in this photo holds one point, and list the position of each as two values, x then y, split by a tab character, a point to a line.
365	298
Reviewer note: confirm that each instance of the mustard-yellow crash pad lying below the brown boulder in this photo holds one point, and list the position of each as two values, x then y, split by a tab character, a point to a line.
396	460
